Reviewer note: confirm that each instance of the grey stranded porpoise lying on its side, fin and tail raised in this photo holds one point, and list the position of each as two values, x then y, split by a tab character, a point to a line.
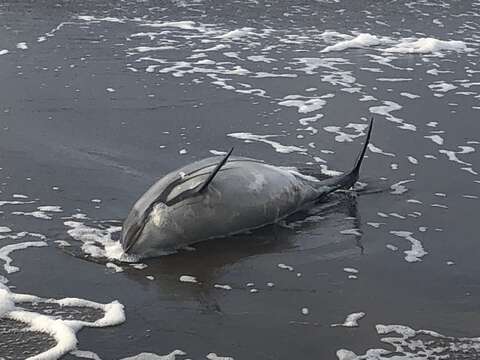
195	203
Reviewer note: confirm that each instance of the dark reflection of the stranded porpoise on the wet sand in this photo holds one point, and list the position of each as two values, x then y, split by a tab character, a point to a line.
312	231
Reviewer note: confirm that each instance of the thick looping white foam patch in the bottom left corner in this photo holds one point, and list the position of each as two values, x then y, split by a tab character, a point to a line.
63	331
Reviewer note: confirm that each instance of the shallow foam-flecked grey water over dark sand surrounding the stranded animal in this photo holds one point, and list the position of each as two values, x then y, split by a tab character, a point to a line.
100	98
